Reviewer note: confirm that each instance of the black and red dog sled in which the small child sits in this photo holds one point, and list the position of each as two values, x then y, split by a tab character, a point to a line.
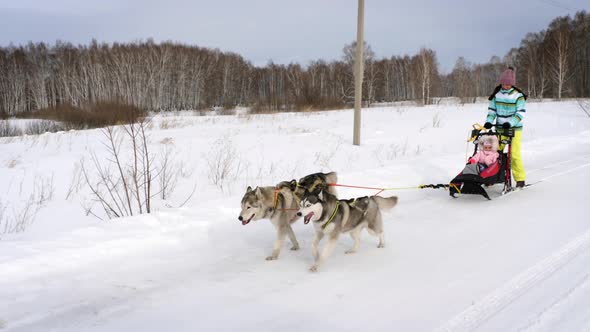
474	177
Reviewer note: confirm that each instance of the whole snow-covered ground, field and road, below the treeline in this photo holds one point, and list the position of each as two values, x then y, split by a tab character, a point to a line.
517	263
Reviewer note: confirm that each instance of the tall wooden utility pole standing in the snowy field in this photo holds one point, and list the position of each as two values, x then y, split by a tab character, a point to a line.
358	75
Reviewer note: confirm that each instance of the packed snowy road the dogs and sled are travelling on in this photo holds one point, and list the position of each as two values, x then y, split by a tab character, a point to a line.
516	263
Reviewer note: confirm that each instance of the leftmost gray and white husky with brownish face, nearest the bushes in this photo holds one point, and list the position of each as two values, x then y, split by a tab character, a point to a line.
277	205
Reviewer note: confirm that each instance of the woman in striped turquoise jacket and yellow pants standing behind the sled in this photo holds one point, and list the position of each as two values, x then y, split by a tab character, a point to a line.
507	108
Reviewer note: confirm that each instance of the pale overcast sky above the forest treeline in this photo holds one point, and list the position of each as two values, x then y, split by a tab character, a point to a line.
287	31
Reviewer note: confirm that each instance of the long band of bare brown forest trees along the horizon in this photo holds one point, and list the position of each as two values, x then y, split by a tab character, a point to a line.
553	63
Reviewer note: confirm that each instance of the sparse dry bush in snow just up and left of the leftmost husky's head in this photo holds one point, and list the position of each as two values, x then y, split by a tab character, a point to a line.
223	162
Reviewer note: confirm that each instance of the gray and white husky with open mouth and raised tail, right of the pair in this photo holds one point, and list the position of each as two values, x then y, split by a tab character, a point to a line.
332	217
